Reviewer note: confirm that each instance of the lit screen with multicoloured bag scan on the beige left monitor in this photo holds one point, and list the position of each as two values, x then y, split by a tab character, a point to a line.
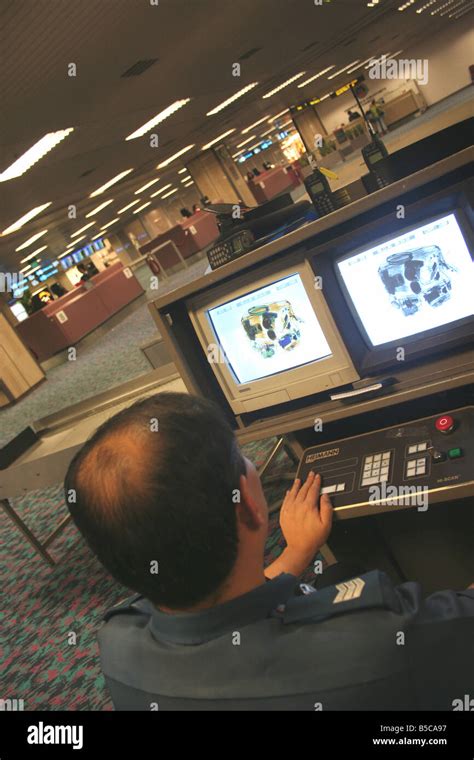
269	330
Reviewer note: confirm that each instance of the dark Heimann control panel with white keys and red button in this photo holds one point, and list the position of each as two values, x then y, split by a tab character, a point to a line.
416	464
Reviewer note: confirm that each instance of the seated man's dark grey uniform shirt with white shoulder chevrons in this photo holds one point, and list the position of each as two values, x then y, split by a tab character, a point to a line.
366	644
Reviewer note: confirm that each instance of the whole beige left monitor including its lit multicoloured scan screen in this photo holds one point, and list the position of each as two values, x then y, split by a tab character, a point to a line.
270	338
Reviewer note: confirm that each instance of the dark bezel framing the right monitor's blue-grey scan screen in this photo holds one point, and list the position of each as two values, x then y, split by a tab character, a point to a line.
409	340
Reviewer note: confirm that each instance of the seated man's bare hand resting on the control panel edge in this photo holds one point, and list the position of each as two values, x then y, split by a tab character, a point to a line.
305	522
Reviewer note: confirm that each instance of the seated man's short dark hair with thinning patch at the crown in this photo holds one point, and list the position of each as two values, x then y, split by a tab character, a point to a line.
155	484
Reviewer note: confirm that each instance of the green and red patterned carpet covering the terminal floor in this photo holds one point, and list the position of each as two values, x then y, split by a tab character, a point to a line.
51	615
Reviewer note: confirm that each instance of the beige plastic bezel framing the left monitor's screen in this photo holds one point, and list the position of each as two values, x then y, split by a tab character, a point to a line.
338	362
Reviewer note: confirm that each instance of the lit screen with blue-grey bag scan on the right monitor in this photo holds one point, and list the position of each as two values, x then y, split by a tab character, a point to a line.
412	283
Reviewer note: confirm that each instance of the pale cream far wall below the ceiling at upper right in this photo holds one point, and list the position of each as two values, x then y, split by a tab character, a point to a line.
449	55
